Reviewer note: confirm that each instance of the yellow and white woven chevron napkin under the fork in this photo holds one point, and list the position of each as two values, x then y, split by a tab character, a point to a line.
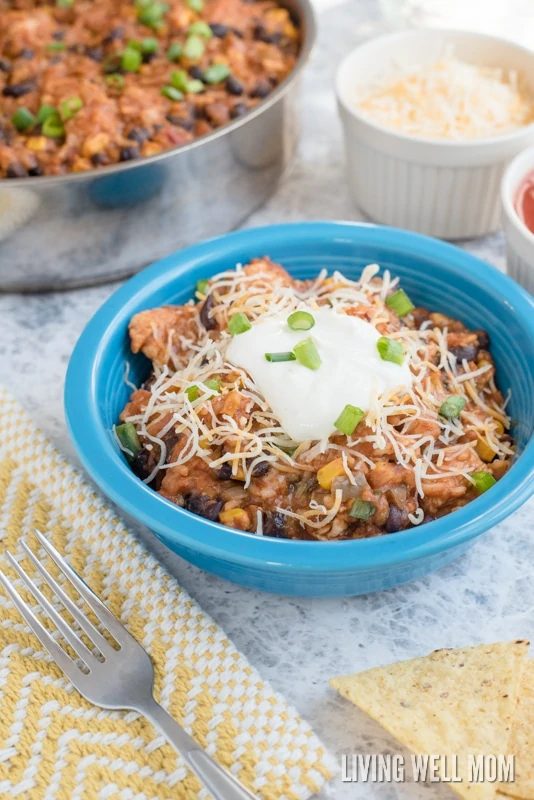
56	746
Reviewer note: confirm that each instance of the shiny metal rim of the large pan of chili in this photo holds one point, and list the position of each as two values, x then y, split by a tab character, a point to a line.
309	25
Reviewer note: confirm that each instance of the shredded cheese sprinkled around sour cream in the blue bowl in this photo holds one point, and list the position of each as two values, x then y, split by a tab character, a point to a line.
433	452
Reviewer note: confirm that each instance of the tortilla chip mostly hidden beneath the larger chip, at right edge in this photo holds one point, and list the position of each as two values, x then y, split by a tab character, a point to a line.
521	743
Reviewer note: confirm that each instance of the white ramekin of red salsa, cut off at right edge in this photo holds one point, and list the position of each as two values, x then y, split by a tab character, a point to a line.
519	240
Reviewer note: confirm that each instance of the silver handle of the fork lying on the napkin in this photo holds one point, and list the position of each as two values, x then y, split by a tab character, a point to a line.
219	782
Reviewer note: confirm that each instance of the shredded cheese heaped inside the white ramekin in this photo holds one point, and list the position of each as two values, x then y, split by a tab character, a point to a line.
450	99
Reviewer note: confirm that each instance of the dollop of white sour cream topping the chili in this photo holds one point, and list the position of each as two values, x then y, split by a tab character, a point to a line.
308	402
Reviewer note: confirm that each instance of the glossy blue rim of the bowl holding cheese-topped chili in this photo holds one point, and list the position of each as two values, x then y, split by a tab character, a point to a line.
214	540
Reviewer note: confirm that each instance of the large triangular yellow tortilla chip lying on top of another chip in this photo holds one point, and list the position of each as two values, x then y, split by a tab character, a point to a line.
451	703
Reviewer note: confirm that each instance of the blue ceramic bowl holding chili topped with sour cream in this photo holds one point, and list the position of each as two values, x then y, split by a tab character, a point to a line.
436	275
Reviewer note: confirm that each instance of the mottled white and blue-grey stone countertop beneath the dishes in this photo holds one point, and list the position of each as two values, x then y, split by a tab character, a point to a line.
298	644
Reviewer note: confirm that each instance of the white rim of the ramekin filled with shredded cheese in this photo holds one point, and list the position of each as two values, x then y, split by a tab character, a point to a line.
433	145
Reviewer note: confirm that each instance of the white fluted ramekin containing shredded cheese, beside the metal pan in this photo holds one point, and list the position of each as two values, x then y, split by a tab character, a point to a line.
448	189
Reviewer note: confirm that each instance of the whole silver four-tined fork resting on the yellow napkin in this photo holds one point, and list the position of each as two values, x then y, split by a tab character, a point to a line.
124	678
